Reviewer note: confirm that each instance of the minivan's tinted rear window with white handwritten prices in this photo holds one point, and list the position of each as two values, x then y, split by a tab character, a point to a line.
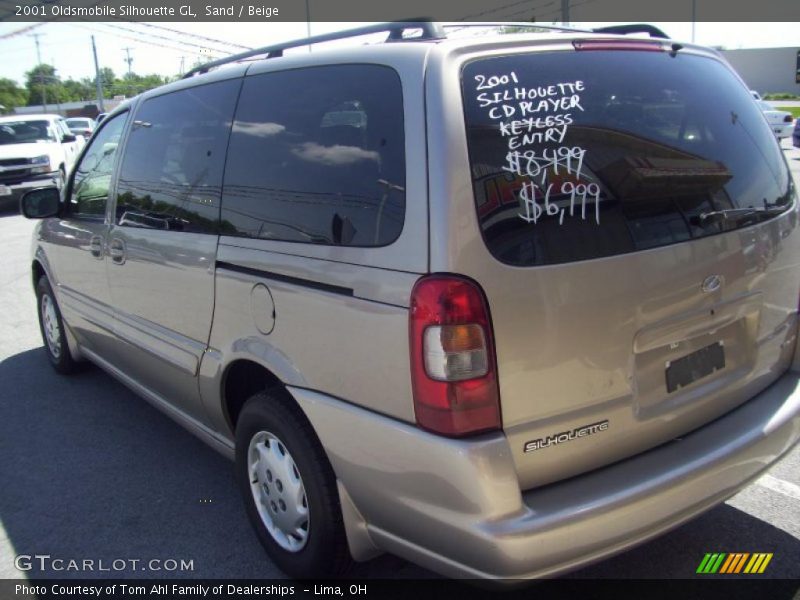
580	155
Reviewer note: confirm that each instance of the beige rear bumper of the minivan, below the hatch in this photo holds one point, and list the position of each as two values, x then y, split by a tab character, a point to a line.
455	506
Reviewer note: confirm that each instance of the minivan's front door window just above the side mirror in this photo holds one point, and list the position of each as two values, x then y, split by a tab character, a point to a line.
92	179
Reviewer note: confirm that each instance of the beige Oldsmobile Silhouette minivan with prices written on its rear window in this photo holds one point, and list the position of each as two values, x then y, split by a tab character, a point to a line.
499	304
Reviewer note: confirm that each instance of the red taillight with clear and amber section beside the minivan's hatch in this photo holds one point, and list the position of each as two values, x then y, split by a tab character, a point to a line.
453	365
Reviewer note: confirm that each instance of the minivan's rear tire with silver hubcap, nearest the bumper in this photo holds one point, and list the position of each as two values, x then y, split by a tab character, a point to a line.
268	424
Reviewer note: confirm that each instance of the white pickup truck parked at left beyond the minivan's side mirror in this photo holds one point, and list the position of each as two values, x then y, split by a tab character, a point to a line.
35	150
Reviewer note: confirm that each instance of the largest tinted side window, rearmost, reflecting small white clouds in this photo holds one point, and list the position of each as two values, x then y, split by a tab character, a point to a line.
317	155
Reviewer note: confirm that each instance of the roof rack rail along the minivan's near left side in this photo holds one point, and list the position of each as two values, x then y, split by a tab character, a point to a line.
430	31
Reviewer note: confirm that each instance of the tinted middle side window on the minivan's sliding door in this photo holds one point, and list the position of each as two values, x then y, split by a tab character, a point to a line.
171	172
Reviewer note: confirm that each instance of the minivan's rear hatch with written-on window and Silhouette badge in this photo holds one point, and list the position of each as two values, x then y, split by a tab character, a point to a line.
642	224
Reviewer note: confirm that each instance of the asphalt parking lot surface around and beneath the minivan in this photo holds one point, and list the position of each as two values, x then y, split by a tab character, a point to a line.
90	471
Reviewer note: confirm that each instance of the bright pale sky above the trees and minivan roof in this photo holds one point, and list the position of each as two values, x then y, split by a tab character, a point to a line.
163	48
